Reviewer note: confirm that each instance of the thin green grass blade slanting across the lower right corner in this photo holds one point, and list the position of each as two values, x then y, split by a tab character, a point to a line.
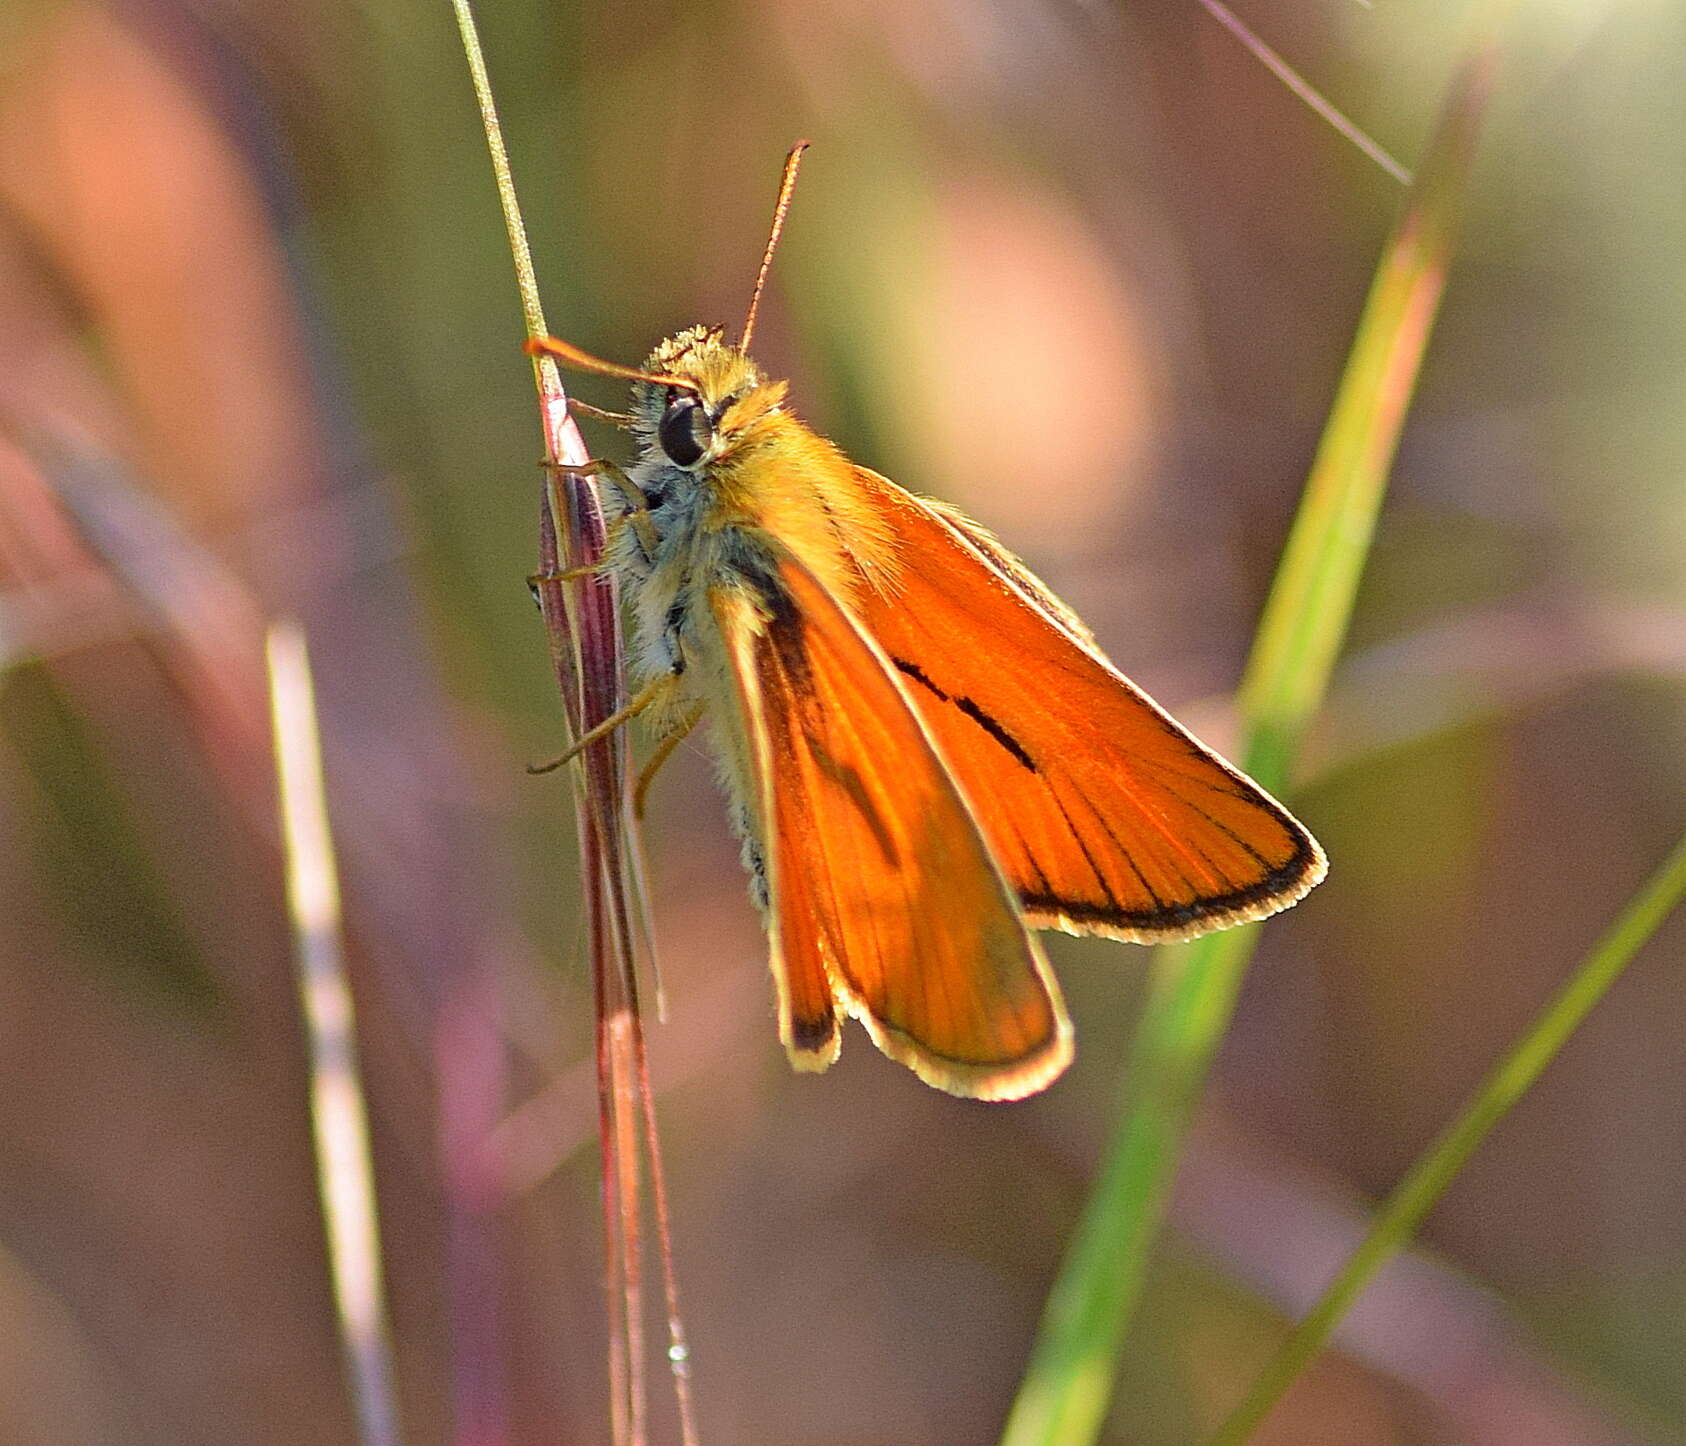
1436	1170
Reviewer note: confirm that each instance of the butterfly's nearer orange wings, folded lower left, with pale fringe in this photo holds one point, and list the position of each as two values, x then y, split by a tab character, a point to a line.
884	899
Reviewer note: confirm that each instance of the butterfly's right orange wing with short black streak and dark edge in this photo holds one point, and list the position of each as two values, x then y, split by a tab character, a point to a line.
1102	811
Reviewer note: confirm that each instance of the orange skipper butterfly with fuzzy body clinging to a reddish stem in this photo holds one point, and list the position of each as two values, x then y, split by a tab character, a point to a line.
926	752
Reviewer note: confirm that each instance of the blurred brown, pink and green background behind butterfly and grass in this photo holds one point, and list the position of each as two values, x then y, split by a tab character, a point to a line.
1087	270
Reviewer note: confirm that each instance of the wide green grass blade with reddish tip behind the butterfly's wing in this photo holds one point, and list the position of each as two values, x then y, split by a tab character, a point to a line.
1068	1384
